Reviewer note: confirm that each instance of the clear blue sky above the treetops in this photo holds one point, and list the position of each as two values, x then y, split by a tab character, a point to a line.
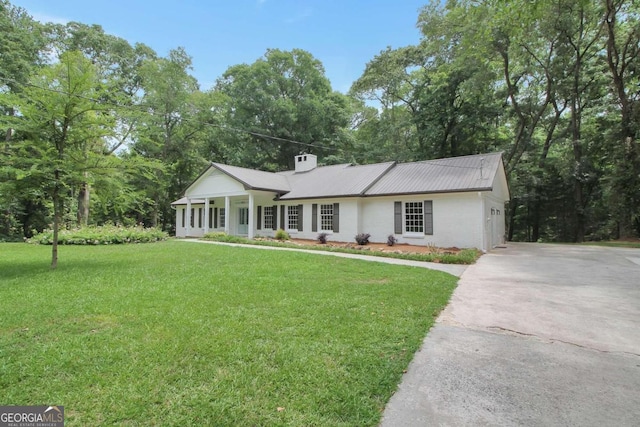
343	34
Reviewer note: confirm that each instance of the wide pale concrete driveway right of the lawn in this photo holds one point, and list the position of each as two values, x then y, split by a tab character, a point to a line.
534	335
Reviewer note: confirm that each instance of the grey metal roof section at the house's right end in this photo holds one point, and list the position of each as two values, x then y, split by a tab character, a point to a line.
467	173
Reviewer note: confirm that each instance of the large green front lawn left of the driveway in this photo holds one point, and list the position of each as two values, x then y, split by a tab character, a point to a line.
176	334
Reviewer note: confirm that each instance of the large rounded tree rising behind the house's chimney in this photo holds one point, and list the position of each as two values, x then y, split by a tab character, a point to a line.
287	97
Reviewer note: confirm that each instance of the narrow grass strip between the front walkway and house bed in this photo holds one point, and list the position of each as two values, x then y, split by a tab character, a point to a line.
465	256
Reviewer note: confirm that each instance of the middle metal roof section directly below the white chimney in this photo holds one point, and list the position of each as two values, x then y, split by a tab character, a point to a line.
334	181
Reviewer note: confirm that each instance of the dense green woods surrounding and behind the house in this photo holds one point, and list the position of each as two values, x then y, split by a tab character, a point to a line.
98	130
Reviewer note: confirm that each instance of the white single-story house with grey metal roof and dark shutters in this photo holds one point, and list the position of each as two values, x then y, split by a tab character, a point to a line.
448	202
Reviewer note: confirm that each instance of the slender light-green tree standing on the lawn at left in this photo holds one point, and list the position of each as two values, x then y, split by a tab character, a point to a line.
59	117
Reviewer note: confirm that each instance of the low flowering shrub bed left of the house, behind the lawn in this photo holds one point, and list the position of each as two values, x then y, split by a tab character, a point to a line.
101	235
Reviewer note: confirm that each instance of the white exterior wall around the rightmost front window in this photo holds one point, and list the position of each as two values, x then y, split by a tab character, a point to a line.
456	220
